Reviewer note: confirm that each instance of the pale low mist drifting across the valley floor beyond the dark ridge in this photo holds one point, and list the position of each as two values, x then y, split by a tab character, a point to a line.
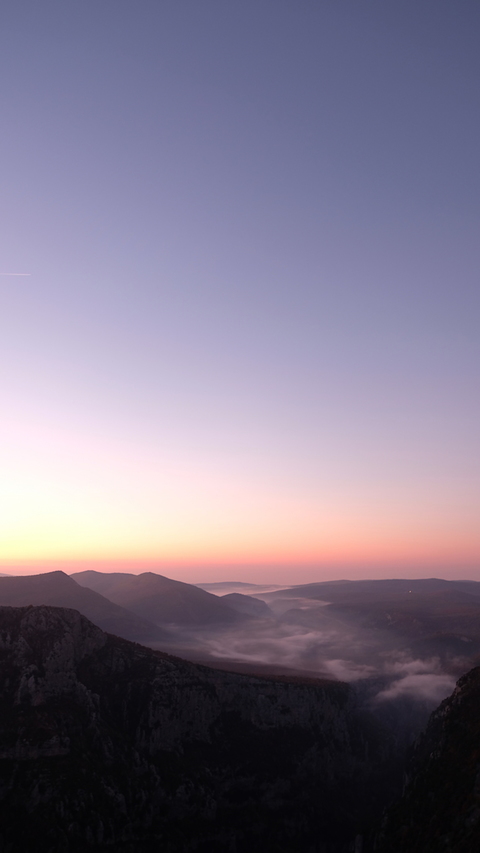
393	660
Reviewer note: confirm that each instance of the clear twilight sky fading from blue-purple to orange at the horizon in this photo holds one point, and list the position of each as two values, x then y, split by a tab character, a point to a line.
247	346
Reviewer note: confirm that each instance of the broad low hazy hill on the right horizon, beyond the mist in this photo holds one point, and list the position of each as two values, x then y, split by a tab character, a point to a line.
431	620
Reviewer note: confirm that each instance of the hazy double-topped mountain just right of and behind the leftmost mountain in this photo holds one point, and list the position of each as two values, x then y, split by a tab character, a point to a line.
159	599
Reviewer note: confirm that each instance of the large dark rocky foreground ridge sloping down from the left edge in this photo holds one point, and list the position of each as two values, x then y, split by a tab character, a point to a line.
109	746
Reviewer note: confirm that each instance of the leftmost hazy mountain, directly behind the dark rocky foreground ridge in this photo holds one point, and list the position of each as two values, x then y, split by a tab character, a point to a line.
57	588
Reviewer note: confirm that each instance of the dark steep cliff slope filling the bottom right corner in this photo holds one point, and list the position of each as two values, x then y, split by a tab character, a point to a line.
440	807
